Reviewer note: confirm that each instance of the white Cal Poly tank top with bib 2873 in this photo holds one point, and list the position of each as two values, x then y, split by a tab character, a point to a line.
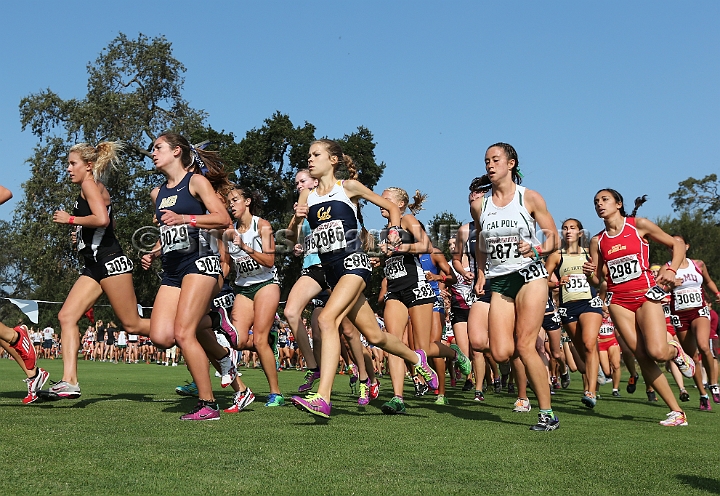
501	229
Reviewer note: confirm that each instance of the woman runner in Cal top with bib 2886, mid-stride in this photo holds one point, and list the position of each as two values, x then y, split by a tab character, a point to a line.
331	209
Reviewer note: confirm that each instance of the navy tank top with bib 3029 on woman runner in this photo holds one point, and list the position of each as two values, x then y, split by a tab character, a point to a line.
179	241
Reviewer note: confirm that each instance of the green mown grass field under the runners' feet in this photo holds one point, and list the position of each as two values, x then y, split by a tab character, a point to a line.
124	436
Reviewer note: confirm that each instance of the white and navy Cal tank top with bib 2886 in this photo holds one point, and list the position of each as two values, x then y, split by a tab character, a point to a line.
334	224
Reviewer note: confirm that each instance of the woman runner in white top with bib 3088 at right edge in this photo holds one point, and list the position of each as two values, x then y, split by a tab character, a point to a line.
693	331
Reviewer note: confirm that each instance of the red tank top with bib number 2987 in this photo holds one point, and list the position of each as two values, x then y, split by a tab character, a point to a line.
627	257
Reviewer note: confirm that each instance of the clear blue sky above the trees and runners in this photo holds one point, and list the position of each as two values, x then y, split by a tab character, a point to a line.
591	94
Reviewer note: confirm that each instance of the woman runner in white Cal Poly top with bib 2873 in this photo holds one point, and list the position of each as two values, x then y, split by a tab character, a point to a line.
507	216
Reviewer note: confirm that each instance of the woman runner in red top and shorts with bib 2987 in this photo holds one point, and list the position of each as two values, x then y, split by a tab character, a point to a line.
619	255
